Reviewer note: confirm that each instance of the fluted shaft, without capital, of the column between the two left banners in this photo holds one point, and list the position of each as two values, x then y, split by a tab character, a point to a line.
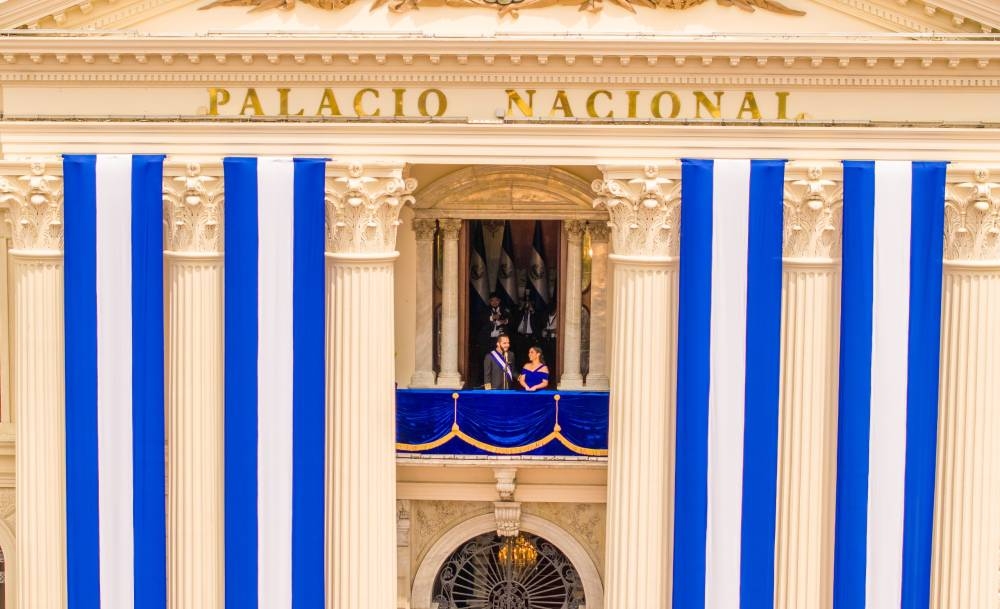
194	397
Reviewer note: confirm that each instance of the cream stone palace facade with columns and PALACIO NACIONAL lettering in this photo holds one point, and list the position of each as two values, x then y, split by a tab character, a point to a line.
436	115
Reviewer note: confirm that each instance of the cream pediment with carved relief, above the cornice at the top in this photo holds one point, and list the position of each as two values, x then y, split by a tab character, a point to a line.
487	17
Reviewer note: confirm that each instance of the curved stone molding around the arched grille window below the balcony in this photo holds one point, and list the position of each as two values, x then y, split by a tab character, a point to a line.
440	550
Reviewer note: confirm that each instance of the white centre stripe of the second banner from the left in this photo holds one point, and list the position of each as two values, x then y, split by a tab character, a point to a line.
275	213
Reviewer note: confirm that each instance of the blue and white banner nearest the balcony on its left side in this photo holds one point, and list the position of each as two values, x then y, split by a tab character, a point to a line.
274	388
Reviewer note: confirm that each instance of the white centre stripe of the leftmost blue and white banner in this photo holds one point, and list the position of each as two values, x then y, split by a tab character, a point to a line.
113	225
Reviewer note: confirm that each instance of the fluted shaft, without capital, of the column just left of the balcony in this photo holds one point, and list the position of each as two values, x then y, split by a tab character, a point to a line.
361	467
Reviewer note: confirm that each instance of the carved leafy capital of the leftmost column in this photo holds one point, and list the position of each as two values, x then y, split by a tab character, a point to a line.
36	202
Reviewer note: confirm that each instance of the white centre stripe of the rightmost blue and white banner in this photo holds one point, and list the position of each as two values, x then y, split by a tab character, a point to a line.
890	338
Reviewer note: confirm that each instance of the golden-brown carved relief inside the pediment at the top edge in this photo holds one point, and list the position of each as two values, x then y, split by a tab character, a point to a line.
510	6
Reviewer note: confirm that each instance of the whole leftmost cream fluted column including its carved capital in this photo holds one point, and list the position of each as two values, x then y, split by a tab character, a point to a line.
39	393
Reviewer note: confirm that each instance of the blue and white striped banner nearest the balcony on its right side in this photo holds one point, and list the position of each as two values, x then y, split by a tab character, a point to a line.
729	354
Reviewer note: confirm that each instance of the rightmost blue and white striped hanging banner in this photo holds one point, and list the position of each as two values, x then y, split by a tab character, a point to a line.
889	361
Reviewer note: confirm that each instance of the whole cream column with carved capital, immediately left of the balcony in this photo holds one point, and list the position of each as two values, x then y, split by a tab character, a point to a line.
362	217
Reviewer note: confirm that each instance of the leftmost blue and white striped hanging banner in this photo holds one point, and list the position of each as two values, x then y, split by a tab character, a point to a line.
115	495
